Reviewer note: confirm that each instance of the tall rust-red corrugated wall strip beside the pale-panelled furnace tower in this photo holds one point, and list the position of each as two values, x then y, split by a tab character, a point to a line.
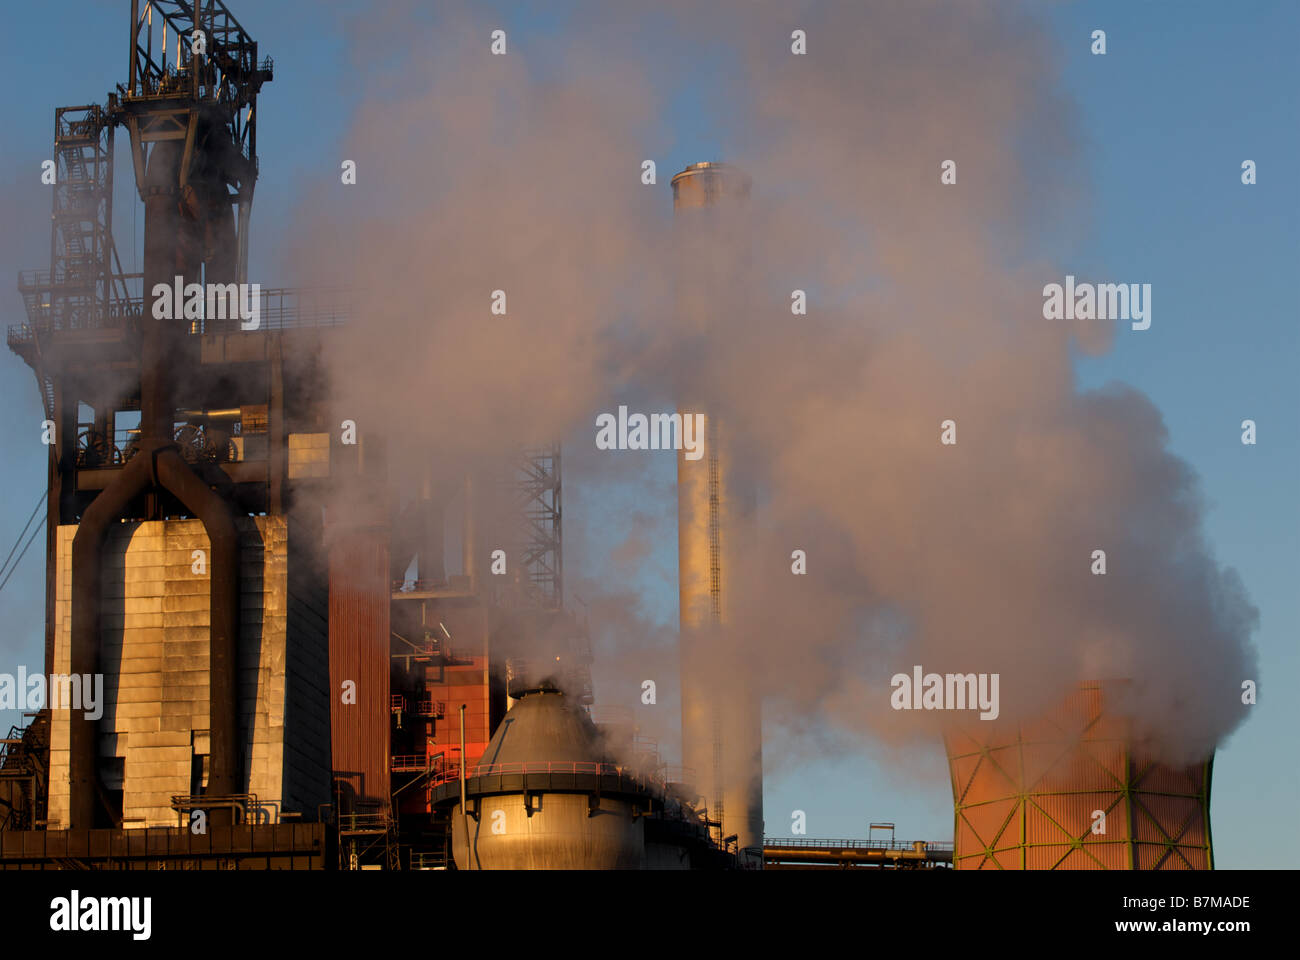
359	612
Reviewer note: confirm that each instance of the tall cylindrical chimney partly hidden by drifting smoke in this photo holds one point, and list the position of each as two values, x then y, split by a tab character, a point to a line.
722	738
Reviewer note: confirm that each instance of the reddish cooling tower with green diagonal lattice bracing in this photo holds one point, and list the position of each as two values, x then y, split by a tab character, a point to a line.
1028	799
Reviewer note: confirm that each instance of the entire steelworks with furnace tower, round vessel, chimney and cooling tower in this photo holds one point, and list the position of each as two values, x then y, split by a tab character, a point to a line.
293	676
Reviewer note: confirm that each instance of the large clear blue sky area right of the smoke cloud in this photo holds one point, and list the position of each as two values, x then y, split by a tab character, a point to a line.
1185	94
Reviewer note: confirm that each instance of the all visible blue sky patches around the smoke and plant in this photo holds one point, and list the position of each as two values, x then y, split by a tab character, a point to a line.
1185	94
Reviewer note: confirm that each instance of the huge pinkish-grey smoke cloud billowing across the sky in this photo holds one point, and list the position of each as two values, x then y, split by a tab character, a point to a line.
522	174
